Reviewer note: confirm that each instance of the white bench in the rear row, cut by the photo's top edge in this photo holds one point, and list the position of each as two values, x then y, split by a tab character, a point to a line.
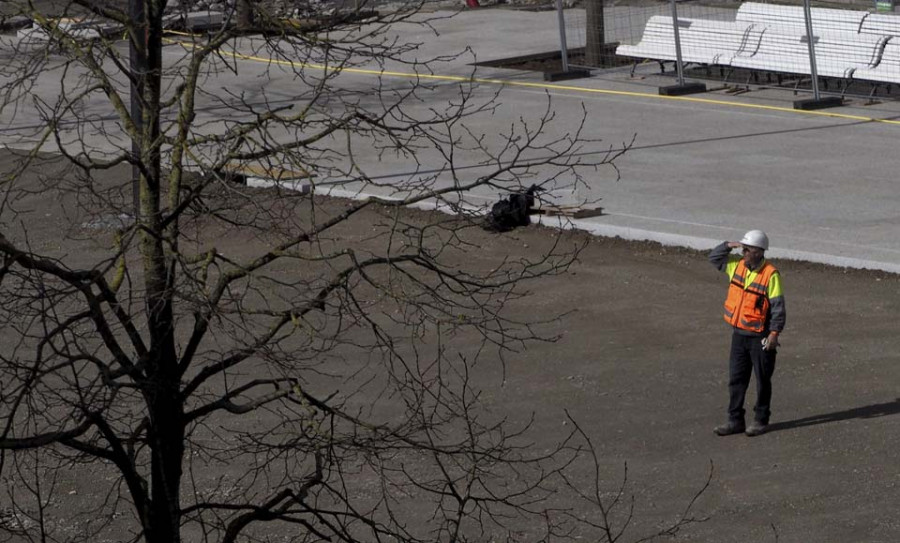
824	20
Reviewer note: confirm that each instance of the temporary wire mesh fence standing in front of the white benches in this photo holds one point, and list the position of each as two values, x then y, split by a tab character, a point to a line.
849	45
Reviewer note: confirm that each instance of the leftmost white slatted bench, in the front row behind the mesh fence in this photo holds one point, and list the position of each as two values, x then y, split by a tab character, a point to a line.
702	41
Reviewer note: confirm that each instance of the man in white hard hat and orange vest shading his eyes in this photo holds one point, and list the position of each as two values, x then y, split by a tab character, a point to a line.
755	310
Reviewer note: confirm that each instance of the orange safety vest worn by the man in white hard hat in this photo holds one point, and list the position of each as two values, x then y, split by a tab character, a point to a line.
746	307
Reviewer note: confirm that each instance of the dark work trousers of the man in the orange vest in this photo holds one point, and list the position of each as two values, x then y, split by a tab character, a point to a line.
748	356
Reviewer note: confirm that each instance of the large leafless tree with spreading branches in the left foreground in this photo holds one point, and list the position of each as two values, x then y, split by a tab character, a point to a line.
226	362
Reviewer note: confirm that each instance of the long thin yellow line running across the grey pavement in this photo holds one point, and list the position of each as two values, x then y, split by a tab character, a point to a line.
545	86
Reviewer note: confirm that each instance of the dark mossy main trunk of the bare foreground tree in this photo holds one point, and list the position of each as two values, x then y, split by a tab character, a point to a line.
161	387
